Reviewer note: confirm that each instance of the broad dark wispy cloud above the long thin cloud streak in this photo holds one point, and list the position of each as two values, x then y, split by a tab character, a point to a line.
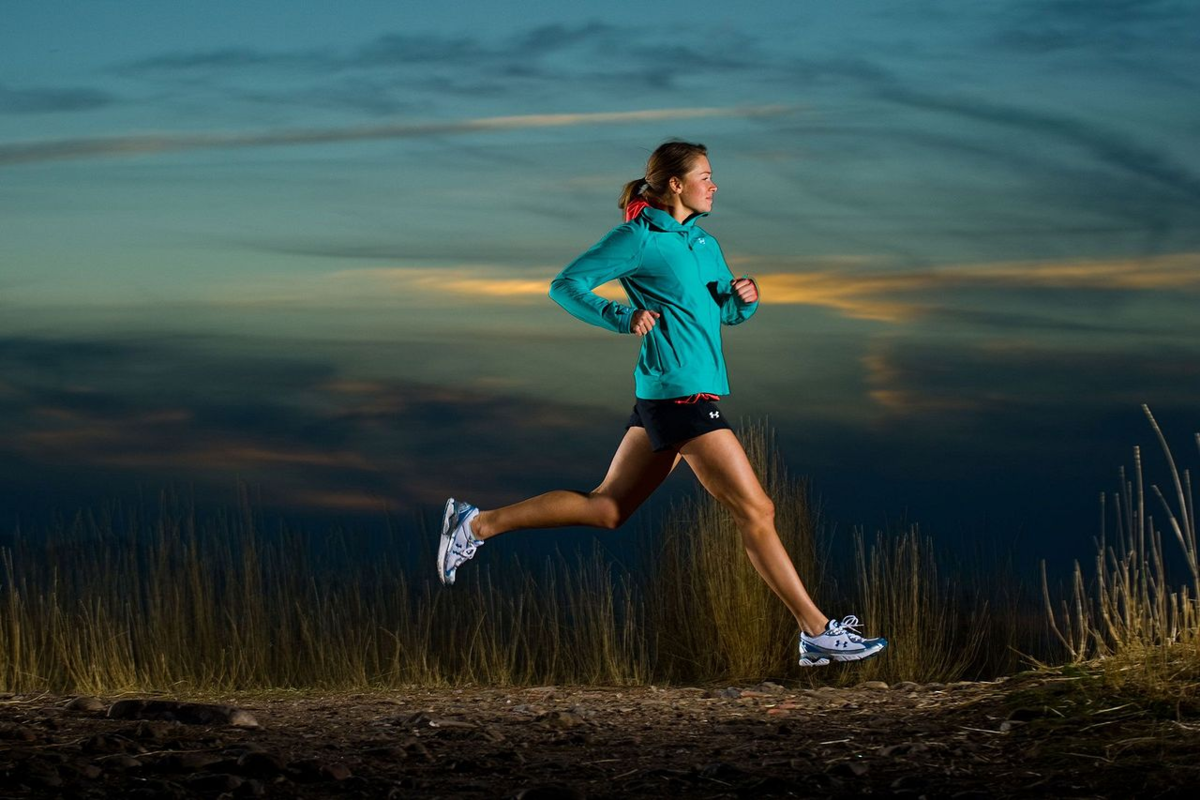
401	70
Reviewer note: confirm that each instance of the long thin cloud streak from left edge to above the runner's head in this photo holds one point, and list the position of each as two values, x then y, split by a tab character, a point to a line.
153	145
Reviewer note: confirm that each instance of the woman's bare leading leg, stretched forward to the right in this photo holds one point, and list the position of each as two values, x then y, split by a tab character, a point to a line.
724	471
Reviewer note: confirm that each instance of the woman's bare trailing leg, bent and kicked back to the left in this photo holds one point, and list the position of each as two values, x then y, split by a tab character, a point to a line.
635	472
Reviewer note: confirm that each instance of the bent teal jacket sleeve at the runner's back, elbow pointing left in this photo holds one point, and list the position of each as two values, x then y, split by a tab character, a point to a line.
620	254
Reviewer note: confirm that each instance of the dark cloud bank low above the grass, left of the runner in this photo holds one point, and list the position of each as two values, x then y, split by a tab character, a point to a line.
207	413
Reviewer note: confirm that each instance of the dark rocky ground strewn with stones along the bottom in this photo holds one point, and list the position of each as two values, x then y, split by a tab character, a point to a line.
1035	736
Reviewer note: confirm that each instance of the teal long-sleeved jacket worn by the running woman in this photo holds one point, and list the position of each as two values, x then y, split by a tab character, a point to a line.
677	270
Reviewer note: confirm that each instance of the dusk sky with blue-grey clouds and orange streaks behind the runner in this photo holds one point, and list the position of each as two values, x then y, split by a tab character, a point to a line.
308	246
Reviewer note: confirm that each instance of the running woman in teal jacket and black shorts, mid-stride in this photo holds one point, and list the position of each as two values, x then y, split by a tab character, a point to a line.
682	292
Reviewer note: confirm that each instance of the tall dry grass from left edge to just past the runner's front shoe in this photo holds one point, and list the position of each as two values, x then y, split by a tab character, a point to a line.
118	603
